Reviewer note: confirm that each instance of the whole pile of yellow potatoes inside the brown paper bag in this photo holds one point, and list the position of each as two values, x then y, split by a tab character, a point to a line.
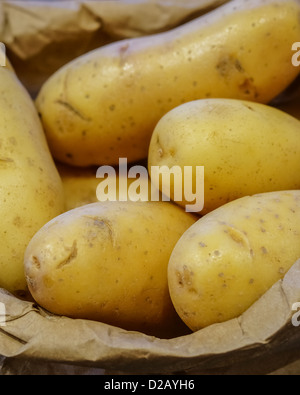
198	95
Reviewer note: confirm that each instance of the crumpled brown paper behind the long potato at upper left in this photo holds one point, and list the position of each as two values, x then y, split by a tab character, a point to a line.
41	36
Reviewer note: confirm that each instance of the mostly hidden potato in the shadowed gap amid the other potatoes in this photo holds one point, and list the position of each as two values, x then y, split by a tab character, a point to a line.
81	185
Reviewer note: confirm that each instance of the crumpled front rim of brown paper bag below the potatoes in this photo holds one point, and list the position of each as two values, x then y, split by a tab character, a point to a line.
263	339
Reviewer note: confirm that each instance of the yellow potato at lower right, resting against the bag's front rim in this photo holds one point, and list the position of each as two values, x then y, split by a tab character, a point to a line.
230	257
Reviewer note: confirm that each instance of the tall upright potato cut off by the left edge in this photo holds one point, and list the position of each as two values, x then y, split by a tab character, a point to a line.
31	191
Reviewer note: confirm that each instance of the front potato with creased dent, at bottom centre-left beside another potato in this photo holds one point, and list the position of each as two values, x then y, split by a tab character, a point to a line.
108	262
